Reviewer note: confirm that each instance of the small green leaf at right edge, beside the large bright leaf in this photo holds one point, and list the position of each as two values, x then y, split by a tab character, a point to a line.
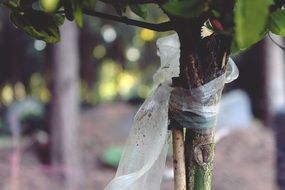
277	22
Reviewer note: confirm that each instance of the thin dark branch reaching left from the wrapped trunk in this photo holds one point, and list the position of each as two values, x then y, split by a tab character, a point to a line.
161	27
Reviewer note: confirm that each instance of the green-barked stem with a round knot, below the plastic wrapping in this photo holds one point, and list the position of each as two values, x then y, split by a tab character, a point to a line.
200	150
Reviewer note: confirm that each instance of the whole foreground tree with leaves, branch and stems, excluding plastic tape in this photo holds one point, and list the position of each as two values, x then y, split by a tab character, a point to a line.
227	27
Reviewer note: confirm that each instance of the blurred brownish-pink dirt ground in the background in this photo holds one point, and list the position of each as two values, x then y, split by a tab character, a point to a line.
244	159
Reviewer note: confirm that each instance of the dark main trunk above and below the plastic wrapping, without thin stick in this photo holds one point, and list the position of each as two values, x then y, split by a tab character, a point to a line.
201	60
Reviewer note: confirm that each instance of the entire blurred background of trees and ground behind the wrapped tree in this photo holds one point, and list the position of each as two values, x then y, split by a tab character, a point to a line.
66	109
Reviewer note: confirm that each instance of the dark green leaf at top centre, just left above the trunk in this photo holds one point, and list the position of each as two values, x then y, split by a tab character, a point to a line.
185	8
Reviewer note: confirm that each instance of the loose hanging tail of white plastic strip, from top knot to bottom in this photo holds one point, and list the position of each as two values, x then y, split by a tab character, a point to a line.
143	160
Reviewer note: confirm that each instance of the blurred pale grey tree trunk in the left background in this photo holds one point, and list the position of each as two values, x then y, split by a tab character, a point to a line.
65	107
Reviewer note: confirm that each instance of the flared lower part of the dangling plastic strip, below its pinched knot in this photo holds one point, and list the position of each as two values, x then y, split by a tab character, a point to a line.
143	160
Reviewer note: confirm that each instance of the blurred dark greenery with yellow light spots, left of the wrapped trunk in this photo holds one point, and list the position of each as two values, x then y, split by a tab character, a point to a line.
117	63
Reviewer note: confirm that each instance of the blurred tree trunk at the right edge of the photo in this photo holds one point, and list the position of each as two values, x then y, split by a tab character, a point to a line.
275	88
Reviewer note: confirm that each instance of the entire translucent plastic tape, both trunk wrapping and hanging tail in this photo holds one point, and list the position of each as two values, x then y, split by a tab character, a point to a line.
143	160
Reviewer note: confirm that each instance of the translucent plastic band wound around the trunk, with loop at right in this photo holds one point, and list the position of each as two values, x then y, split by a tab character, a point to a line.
198	108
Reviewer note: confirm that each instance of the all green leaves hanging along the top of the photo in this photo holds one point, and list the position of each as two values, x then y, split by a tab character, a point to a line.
248	23
